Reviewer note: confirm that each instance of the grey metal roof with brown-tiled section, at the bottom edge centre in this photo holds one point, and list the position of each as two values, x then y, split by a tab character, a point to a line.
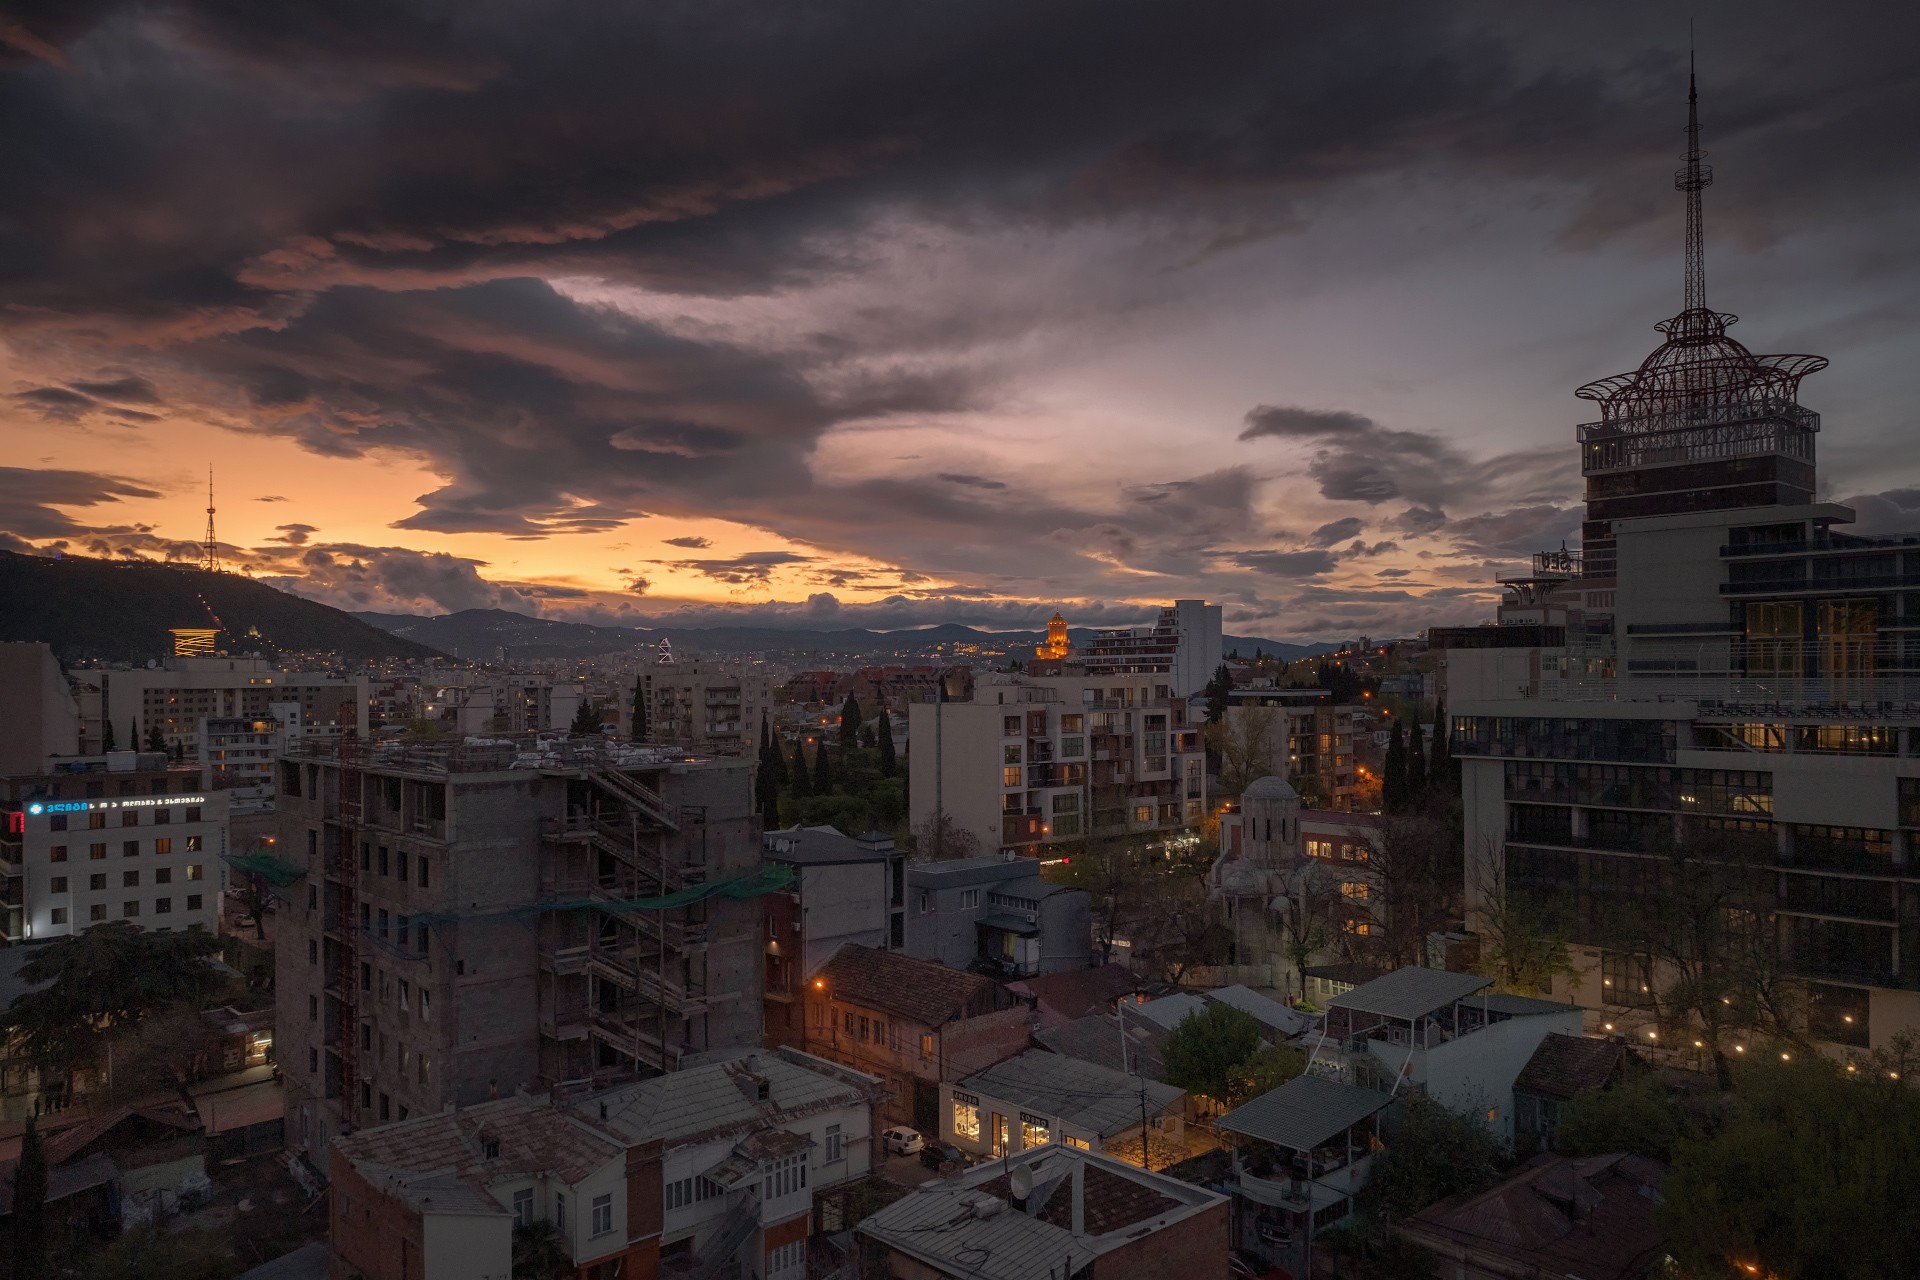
1078	1208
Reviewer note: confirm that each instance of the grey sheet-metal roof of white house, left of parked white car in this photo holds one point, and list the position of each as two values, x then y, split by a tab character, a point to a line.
721	1099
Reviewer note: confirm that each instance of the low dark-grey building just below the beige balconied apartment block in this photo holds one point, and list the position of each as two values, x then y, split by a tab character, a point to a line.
997	914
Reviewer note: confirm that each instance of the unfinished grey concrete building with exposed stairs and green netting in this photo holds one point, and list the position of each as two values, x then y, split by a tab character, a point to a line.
473	918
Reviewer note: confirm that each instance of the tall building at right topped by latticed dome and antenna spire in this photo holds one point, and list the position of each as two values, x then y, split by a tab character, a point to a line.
1725	684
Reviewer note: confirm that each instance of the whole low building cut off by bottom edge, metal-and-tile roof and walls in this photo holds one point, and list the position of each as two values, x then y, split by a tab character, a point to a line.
1055	1208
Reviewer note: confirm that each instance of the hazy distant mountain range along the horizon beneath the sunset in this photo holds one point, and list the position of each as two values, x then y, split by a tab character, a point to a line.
485	634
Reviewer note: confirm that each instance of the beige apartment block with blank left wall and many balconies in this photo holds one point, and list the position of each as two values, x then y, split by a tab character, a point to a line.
1040	761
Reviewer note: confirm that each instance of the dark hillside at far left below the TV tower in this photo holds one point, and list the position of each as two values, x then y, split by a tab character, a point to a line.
120	611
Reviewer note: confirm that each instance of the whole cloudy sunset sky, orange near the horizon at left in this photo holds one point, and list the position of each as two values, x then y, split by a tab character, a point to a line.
896	314
